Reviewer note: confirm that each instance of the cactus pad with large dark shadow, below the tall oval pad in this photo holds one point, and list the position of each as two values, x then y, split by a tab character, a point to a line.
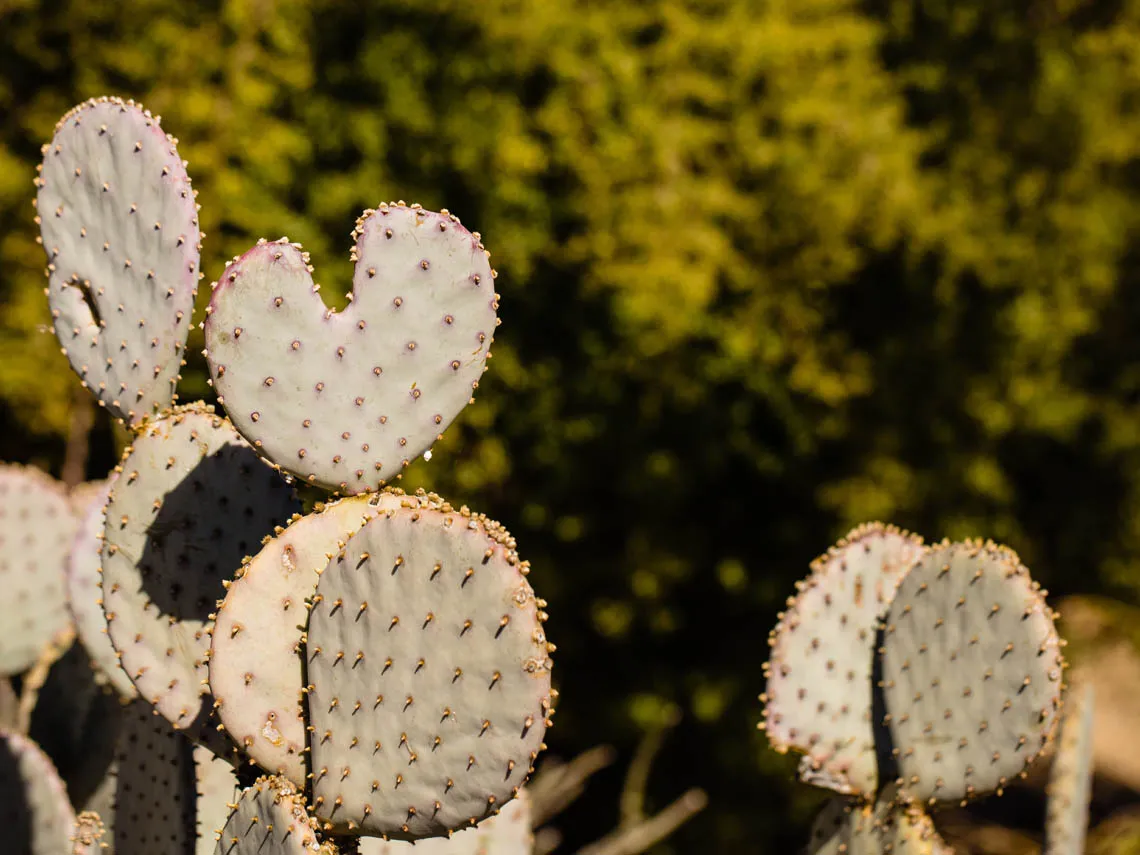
191	501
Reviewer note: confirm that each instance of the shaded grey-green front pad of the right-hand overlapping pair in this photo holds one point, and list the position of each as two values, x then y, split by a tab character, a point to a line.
972	672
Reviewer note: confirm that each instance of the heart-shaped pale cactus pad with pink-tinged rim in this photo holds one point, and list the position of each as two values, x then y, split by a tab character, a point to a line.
347	400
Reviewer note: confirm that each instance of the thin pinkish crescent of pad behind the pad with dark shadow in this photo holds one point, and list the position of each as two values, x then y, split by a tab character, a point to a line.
85	599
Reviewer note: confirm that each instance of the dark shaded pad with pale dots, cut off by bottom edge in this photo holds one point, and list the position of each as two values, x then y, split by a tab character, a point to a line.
156	787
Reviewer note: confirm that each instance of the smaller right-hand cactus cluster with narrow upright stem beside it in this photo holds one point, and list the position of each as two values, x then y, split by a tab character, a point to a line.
911	677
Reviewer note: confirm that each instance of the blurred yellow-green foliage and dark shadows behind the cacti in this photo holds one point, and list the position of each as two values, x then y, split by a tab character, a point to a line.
770	268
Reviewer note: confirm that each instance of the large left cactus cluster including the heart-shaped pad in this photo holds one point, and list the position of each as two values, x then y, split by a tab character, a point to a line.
353	674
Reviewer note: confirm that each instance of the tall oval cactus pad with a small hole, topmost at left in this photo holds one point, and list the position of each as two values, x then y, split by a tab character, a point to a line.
120	227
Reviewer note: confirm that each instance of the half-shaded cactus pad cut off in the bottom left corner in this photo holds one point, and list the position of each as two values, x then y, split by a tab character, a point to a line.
37	817
